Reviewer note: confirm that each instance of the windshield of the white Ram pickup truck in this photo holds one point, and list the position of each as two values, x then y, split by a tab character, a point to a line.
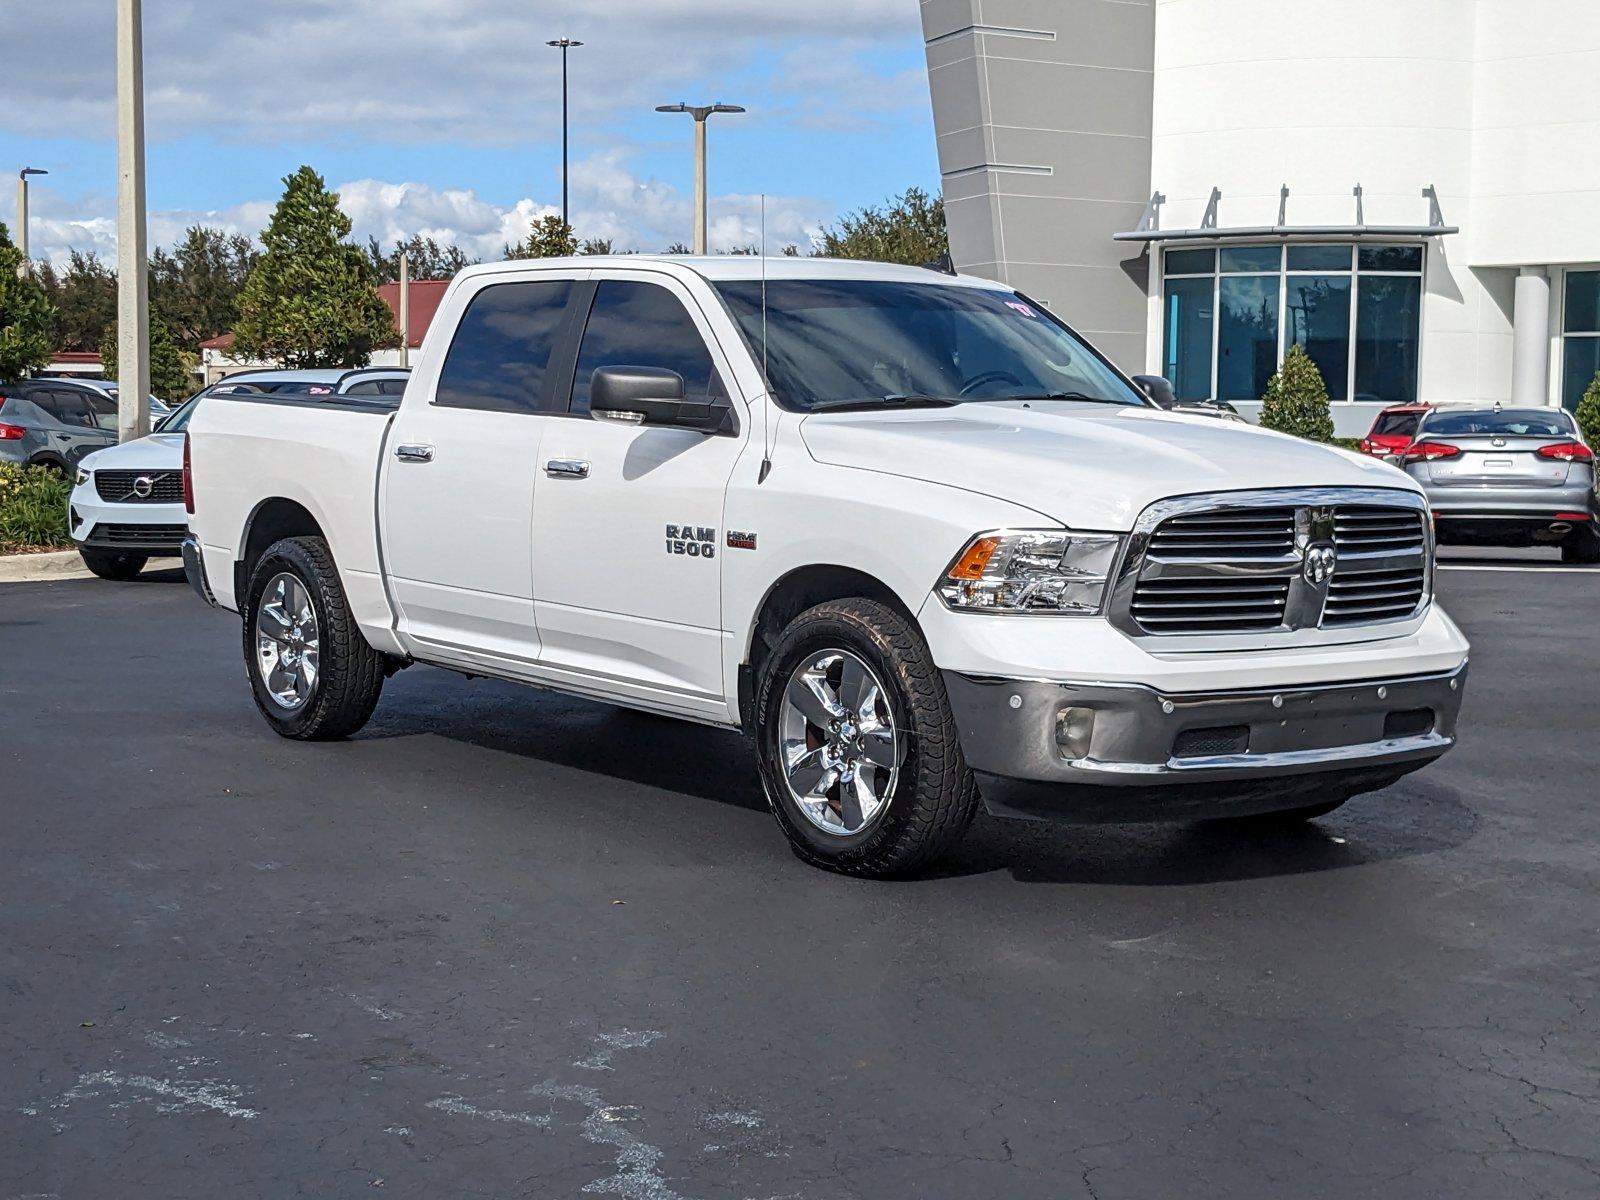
870	342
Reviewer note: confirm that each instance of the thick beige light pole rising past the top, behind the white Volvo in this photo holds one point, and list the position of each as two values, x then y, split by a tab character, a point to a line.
134	310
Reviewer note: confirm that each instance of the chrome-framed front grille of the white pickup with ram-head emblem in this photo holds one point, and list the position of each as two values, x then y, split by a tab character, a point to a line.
1274	562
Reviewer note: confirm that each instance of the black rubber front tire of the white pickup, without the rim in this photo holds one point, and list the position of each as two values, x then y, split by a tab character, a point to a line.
934	798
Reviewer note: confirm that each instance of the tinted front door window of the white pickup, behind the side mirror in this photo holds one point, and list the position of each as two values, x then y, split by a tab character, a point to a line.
644	326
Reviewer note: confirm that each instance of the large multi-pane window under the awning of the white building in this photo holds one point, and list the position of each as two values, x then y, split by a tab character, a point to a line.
1356	308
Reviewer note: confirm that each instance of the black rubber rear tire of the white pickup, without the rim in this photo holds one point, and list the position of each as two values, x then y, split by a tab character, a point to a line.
351	673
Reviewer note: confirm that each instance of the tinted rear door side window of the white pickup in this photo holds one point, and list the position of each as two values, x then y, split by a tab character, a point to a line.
502	350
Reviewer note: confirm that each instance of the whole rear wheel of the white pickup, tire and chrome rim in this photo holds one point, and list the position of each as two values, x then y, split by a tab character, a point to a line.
311	671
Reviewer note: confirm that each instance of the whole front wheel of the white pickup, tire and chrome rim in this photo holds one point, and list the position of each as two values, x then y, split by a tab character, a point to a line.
857	743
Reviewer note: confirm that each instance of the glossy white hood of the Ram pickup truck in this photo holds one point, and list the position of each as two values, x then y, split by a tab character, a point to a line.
1087	466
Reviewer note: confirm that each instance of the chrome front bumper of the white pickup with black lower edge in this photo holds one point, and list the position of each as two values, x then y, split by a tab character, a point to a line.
1185	754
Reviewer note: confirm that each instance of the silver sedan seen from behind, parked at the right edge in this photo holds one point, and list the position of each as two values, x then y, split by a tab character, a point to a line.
1508	478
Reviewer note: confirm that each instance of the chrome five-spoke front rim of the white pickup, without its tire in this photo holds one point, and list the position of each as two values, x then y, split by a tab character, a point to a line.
839	745
